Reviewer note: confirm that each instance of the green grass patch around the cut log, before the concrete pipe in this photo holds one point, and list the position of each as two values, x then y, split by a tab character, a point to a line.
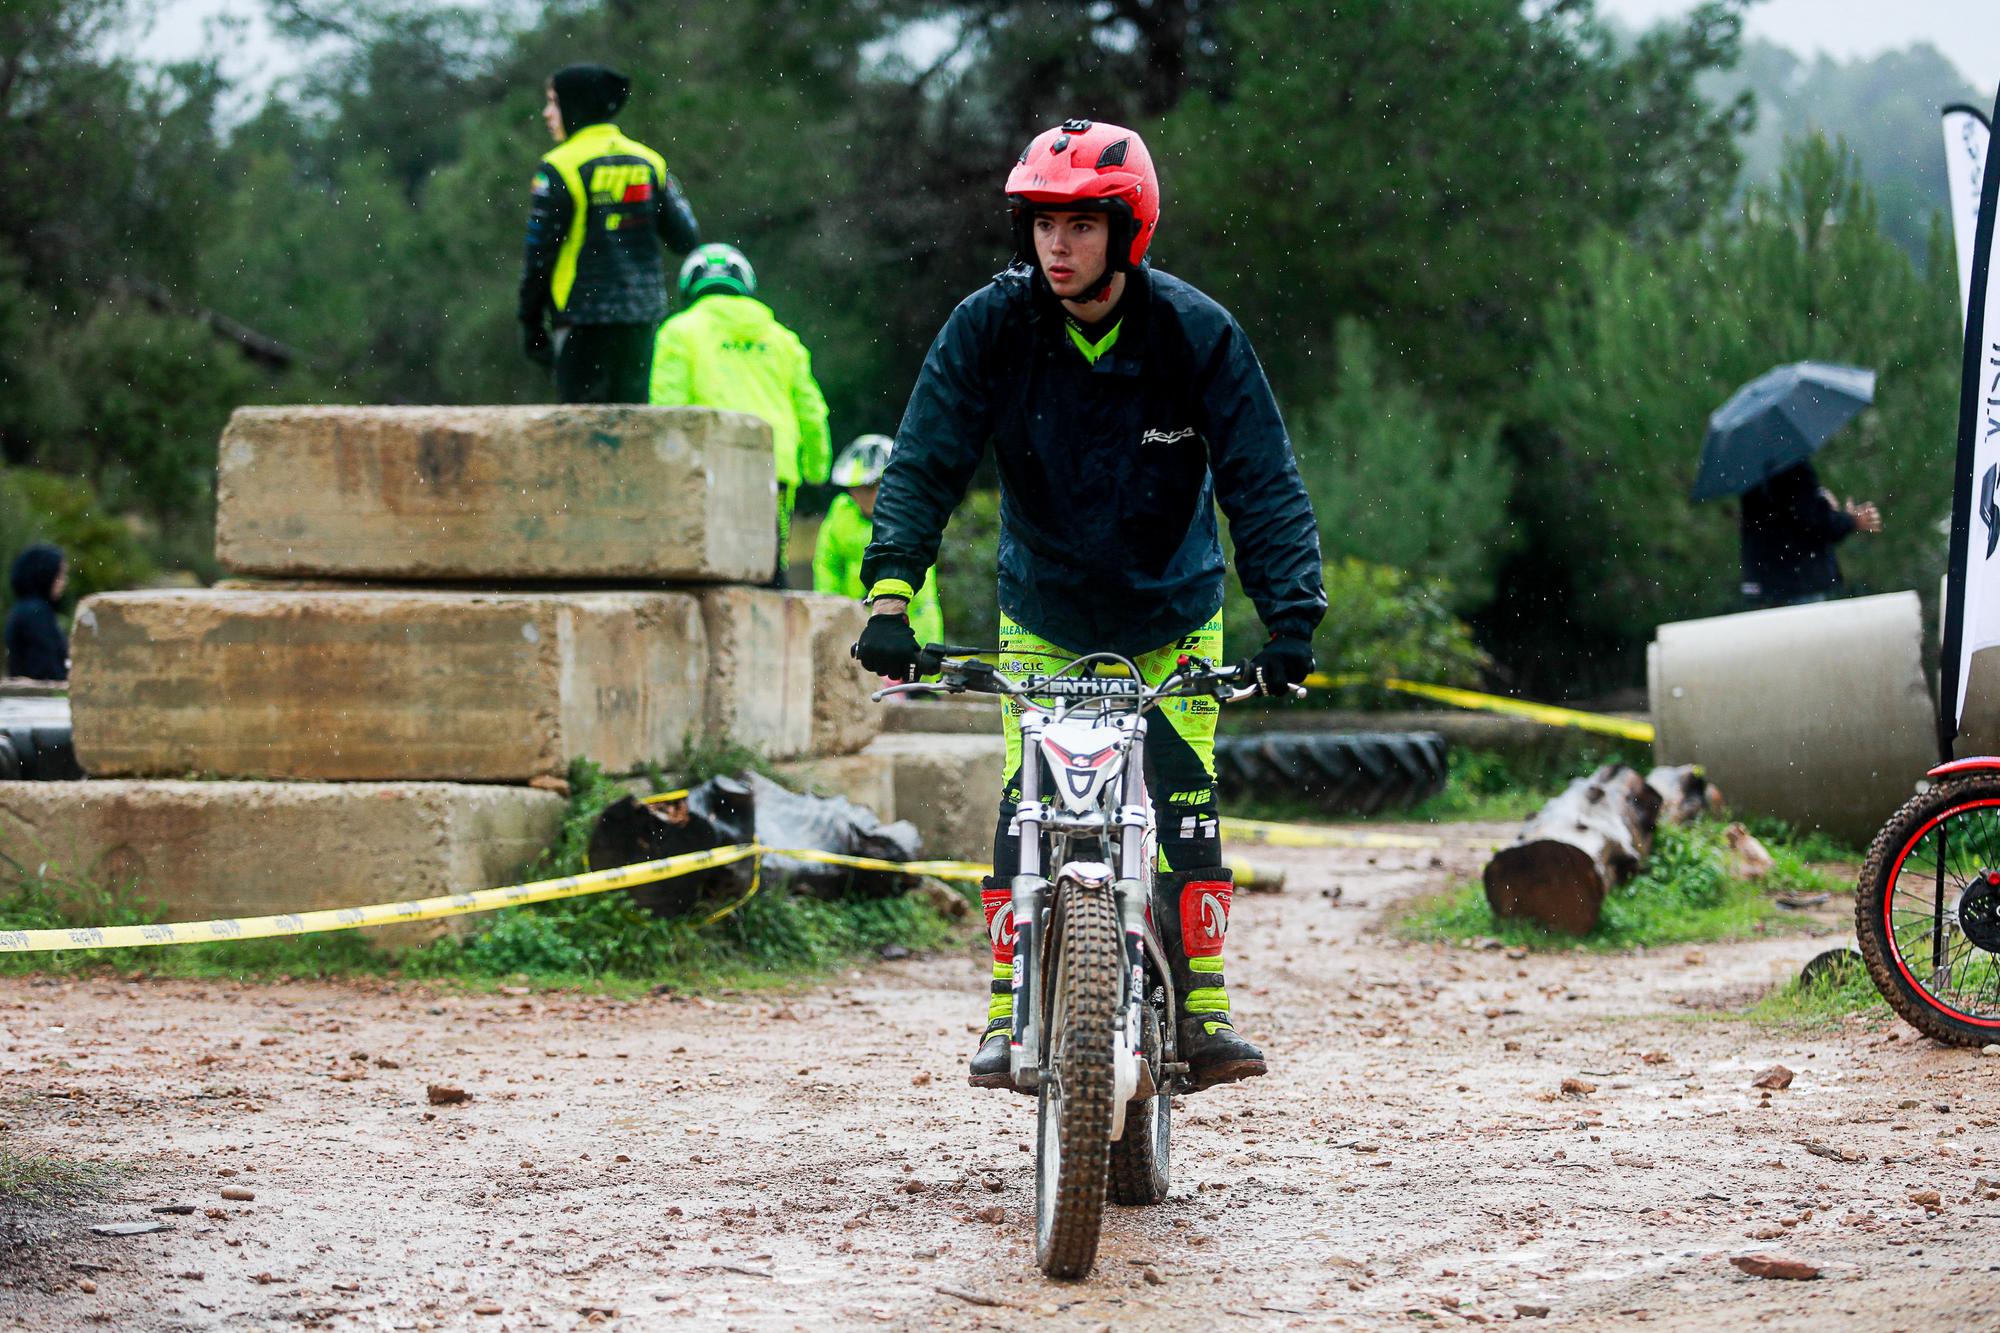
1683	896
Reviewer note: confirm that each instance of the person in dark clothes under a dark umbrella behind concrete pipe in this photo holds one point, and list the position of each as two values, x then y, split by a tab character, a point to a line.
1761	447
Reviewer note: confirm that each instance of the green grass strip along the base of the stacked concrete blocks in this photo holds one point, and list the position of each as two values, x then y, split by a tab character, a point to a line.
599	942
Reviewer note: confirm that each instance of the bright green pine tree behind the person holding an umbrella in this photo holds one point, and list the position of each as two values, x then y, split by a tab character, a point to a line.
1649	341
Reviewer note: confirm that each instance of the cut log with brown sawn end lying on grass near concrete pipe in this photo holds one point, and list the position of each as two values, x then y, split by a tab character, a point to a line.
1577	850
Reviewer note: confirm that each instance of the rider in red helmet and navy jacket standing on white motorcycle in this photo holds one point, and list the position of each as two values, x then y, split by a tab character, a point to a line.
1123	407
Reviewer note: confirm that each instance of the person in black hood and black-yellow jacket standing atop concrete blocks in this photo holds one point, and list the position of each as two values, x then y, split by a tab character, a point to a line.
591	265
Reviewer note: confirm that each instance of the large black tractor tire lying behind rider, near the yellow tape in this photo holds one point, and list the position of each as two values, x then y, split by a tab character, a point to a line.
1345	774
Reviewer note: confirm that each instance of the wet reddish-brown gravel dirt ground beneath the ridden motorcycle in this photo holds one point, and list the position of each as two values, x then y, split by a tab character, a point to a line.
813	1158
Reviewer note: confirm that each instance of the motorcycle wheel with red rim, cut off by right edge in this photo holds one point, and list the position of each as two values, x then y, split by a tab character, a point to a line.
1929	912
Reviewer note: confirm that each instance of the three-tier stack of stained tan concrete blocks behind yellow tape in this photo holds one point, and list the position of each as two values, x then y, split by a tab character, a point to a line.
467	599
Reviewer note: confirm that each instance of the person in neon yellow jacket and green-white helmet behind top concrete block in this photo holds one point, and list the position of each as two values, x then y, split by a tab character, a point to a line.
729	351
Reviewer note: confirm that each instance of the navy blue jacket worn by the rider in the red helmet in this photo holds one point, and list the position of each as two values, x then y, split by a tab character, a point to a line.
1109	473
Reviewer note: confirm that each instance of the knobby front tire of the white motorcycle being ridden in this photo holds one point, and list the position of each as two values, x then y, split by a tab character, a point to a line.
1075	1104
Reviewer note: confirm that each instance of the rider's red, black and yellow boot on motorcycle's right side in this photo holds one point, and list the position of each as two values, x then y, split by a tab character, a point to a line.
1193	914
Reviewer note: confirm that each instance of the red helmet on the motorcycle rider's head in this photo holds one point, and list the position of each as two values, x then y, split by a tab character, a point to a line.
1089	167
